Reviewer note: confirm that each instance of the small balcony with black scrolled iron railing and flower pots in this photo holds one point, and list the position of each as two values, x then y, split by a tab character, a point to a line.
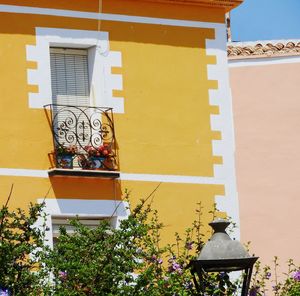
84	141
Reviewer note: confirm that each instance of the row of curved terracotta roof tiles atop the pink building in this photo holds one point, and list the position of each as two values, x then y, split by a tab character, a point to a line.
242	50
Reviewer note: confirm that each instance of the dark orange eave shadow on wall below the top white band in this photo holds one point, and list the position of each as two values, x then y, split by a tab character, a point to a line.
118	31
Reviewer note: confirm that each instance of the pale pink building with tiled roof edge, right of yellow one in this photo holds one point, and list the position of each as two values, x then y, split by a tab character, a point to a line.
265	82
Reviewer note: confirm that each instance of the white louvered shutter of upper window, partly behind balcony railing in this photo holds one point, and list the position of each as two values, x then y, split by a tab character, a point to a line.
70	86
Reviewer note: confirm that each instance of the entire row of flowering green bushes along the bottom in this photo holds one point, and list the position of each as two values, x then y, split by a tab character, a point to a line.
104	261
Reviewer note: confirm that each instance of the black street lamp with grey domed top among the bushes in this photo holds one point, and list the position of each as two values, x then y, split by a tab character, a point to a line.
222	254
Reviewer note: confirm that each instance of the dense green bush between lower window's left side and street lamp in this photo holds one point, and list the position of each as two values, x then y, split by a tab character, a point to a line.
123	261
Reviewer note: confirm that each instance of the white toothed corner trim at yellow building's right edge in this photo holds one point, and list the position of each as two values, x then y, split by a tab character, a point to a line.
223	123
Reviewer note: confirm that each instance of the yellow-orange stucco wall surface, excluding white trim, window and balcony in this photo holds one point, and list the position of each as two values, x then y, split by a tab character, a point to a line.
165	129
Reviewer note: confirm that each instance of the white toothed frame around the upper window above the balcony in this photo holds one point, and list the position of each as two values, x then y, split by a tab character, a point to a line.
100	58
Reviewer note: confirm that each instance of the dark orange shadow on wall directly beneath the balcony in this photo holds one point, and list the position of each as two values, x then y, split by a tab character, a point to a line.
86	188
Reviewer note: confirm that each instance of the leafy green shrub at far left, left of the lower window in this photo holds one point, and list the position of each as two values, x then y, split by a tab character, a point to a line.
21	250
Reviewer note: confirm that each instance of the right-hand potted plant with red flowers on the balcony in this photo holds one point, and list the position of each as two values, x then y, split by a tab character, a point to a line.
96	156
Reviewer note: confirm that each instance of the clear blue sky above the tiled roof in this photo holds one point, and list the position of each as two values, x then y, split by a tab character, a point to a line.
266	20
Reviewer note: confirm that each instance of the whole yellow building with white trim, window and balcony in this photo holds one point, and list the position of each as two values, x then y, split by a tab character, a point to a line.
160	67
